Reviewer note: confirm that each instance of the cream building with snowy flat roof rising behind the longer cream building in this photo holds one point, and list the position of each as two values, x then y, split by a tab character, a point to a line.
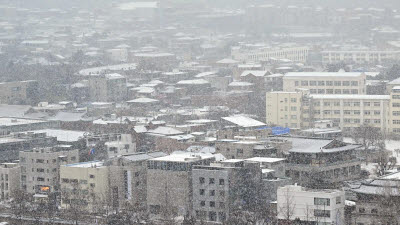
326	82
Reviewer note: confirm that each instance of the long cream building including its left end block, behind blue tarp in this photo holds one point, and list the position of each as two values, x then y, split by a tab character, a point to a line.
345	111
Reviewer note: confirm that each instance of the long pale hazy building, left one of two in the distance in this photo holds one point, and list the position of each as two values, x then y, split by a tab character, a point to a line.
265	53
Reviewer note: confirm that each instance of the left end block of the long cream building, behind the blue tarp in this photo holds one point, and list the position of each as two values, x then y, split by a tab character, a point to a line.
284	109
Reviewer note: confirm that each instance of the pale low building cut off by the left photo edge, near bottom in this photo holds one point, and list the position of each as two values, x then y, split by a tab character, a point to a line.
10	174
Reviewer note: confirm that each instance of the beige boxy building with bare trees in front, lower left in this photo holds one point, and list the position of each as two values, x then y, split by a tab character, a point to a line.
86	183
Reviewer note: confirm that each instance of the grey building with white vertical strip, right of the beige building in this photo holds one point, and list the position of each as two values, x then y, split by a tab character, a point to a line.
128	182
